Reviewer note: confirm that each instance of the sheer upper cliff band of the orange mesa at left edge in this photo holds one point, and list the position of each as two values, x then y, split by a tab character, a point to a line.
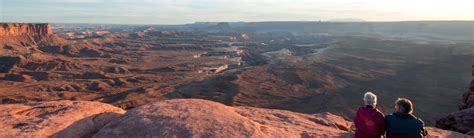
17	29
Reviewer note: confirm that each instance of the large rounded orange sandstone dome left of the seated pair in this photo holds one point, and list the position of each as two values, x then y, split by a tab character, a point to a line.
201	118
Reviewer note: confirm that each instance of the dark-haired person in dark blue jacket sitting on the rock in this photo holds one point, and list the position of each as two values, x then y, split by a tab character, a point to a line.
402	123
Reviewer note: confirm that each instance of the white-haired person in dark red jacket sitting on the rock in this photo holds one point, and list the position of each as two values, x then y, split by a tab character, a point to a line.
369	121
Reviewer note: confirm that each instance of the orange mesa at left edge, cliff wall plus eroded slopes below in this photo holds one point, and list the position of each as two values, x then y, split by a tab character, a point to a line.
23	41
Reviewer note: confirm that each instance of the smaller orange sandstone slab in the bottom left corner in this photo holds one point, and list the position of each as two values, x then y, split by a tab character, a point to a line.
57	118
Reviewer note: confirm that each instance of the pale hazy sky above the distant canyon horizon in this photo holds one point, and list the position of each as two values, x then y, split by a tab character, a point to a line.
189	11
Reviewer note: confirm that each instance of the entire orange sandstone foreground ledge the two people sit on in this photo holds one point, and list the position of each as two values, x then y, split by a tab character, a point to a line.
171	118
